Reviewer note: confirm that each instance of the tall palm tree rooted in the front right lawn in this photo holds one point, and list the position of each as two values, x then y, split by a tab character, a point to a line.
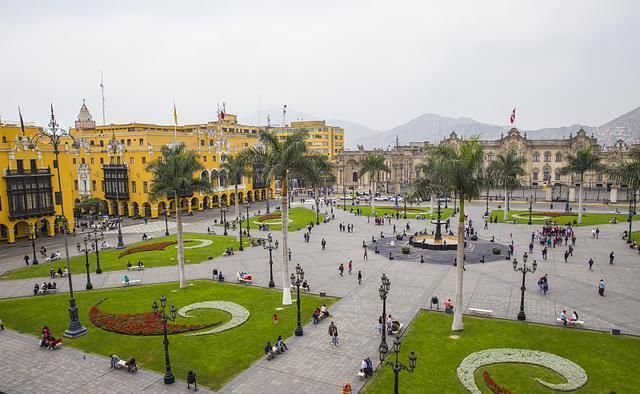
458	169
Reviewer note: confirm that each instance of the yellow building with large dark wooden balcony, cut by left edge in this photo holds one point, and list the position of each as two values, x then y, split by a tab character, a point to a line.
31	193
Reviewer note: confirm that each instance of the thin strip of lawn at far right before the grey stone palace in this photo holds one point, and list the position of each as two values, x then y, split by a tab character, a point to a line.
588	219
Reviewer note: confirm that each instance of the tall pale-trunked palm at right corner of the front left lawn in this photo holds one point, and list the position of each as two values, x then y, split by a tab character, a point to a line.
281	158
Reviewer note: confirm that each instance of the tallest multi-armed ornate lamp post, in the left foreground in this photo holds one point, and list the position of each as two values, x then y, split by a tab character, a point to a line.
54	137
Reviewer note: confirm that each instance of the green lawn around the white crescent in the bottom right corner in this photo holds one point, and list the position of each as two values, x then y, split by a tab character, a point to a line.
611	362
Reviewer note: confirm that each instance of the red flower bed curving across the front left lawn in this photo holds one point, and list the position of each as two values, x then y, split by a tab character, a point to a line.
139	323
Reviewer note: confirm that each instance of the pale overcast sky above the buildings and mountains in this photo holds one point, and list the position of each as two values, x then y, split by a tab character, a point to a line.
376	63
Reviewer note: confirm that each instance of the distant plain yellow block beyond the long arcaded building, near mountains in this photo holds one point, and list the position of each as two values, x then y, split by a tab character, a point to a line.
328	140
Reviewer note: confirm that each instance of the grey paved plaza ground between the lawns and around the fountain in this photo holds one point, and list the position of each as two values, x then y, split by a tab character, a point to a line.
313	365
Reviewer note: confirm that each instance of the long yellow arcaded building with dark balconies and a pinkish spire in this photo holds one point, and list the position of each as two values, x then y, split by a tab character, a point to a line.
112	167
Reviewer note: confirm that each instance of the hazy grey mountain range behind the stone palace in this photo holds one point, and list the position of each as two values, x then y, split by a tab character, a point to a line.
433	128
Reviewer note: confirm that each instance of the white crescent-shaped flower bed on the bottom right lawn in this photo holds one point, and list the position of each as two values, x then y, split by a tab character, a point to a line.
574	374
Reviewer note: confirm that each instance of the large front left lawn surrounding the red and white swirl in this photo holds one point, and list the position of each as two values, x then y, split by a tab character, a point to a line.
215	358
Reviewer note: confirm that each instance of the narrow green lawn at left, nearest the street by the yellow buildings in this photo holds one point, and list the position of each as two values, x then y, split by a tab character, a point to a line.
194	252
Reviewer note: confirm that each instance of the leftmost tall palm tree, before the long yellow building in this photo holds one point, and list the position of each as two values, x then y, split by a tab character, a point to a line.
173	178
